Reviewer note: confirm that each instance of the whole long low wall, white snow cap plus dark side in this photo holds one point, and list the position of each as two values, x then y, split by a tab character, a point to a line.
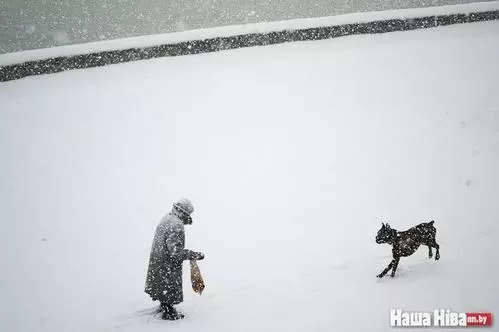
57	59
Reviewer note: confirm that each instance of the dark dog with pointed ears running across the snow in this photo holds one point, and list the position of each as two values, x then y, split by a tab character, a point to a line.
407	242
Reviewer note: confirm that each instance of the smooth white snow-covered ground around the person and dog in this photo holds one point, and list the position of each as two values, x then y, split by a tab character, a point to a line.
293	155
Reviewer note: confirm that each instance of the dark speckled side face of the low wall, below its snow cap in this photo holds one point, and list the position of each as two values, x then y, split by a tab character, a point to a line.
63	63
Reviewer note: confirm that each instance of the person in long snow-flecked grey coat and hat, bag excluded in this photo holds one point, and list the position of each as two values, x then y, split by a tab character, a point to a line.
164	275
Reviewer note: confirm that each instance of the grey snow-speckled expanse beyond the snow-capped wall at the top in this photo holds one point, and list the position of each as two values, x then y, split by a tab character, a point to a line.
26	25
